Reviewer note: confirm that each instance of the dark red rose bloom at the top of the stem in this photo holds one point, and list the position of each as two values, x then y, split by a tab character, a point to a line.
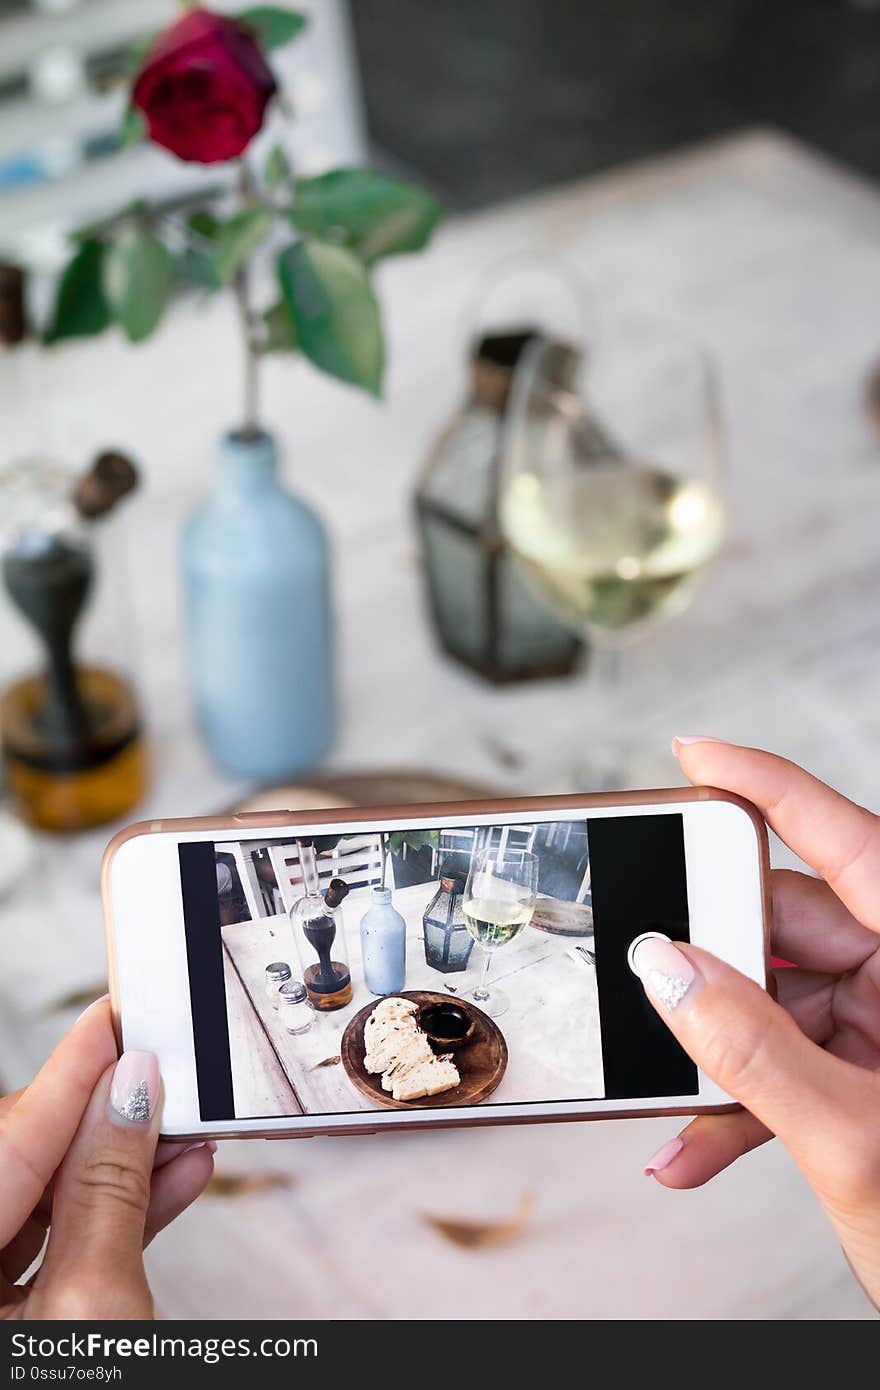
204	88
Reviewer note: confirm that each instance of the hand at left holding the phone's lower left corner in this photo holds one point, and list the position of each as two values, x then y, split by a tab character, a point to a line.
79	1157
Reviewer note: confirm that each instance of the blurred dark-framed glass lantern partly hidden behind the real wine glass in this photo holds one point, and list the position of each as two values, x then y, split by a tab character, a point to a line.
484	614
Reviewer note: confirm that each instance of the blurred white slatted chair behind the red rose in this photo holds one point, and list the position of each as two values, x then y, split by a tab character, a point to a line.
60	113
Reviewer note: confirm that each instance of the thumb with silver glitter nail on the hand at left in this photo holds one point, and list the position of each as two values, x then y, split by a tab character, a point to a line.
95	1256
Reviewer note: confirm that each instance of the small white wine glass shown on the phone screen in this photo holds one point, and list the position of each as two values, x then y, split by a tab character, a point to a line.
500	900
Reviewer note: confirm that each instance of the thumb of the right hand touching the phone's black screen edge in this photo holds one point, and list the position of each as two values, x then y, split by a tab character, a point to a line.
754	1050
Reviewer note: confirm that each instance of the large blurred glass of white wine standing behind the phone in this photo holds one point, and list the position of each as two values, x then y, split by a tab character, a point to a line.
611	500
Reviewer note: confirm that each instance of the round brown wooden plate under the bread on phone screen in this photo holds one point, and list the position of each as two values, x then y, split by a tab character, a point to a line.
482	1063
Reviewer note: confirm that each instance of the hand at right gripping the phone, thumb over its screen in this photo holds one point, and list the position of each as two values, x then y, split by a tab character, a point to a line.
807	1068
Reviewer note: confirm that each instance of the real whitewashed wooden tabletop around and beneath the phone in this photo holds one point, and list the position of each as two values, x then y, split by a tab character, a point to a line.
772	256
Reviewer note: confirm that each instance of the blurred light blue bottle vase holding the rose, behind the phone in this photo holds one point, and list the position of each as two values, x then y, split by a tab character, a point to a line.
256	572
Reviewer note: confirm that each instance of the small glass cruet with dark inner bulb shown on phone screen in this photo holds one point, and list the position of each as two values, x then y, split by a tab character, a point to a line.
319	935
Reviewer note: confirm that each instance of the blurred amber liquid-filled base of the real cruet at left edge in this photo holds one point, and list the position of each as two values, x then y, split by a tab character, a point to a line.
83	787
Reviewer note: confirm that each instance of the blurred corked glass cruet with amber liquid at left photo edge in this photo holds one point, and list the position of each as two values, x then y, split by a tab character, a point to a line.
70	723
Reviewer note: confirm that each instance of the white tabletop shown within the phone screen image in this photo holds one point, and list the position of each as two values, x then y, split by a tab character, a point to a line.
551	1027
